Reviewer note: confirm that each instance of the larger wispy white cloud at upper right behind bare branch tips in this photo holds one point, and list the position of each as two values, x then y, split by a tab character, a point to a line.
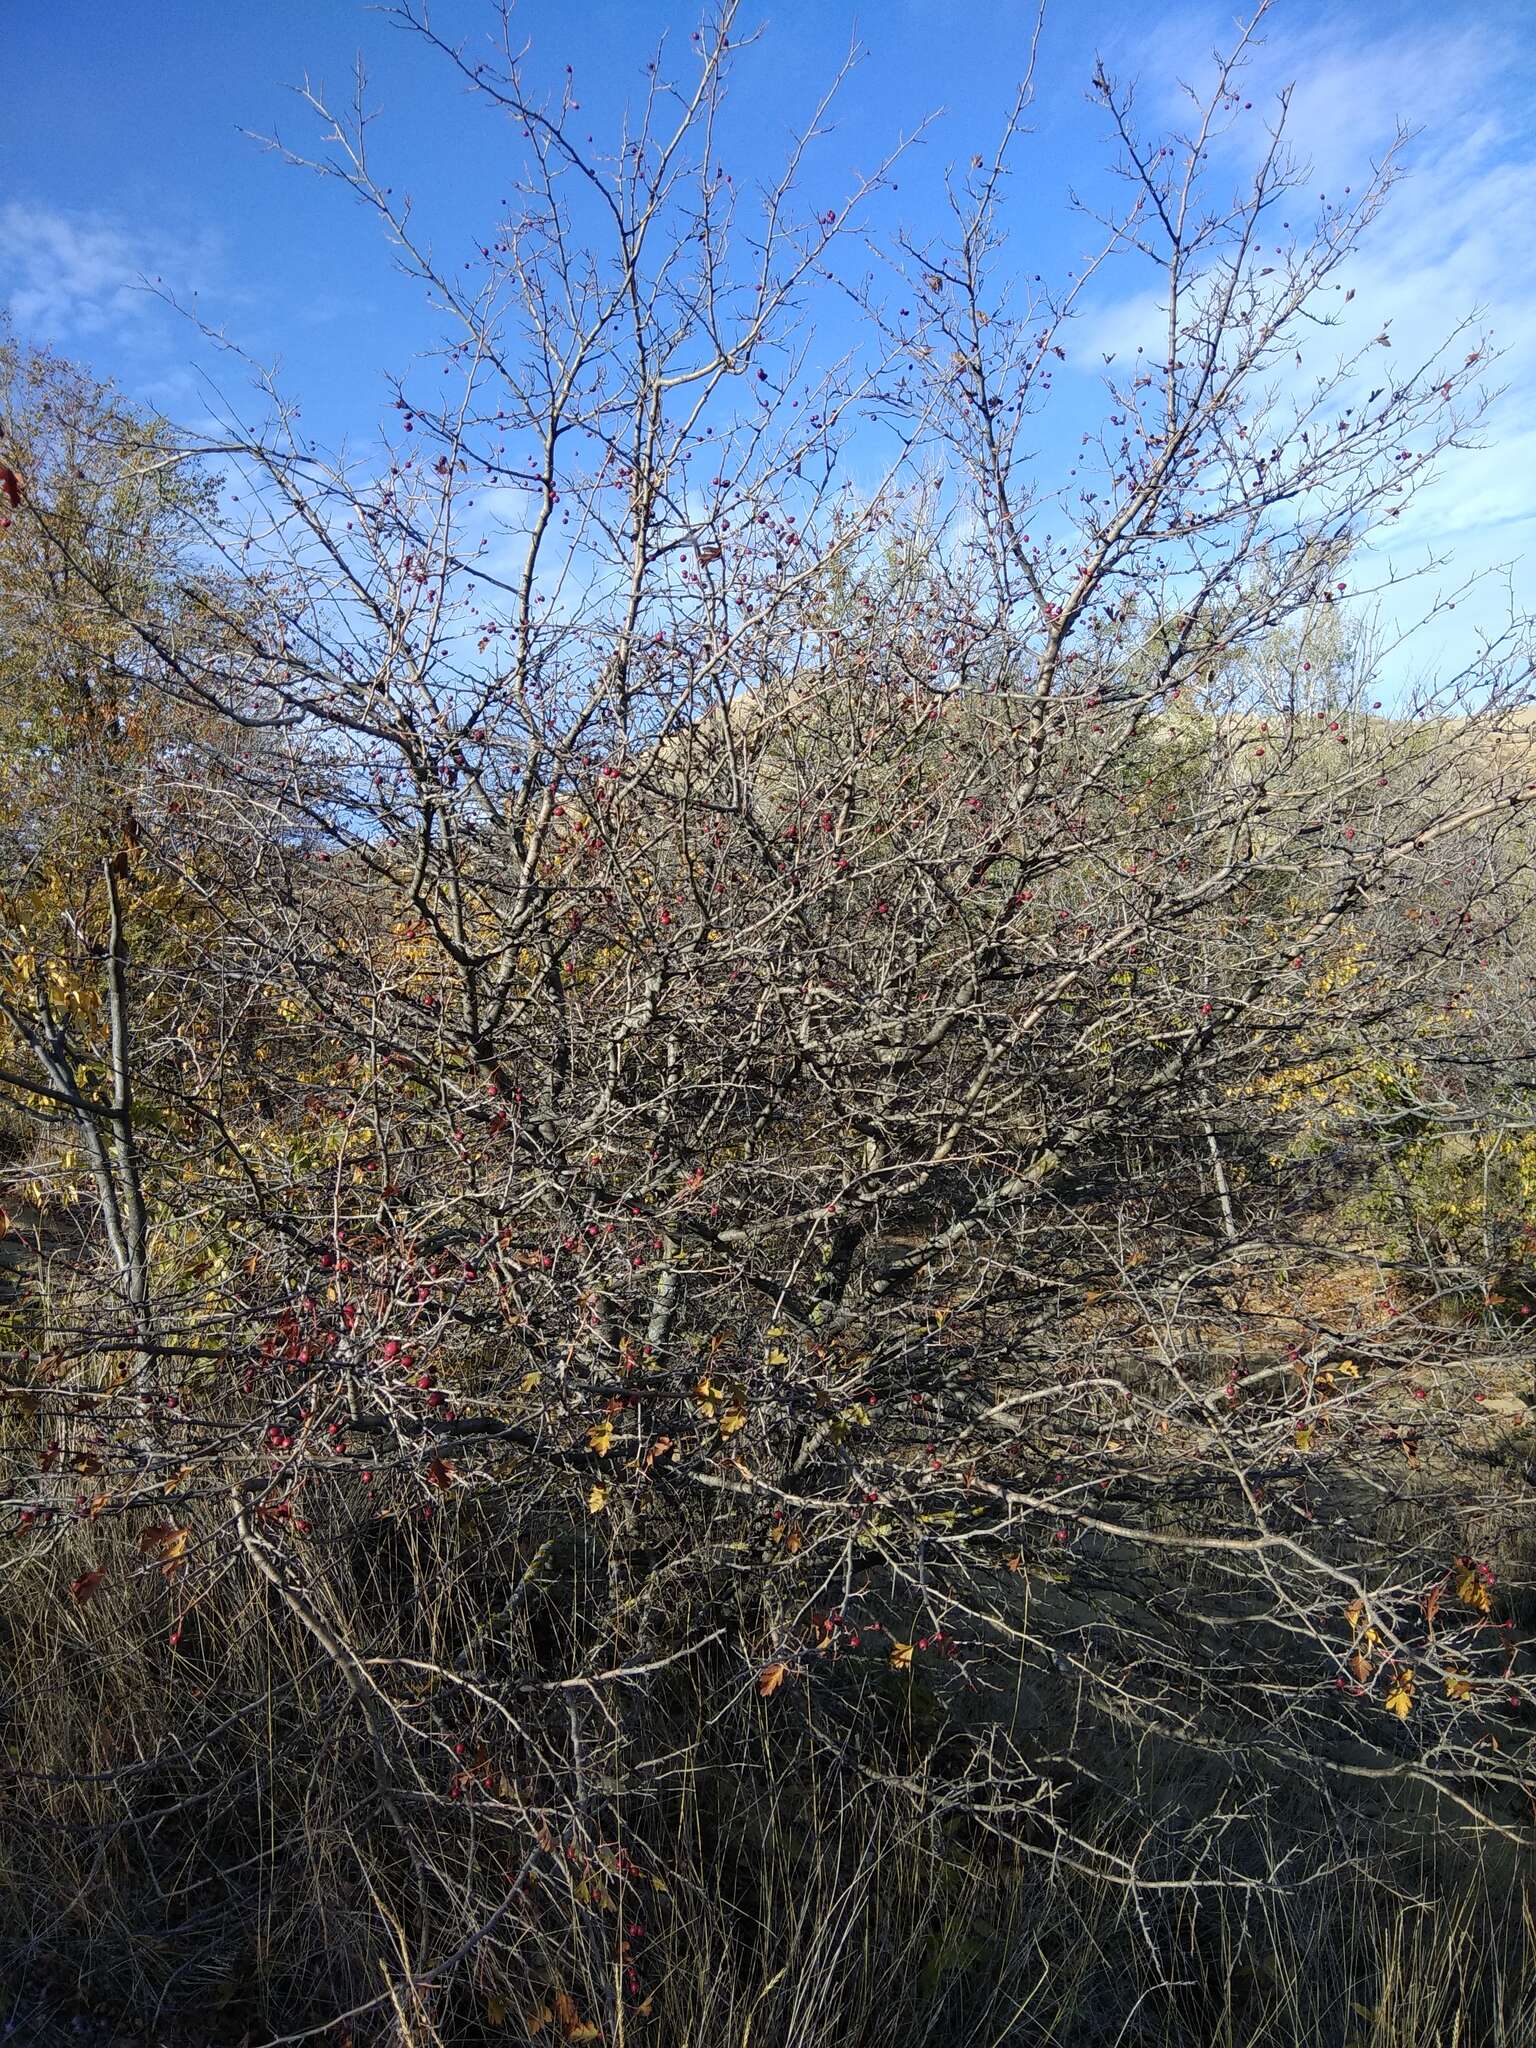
1455	241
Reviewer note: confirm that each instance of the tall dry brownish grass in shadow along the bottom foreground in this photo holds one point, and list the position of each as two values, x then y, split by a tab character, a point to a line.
204	1840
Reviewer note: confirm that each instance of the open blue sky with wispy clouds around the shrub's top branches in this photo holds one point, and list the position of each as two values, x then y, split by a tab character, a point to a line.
124	157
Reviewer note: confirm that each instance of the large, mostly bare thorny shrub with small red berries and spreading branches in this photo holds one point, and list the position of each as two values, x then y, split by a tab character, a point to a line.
699	1340
